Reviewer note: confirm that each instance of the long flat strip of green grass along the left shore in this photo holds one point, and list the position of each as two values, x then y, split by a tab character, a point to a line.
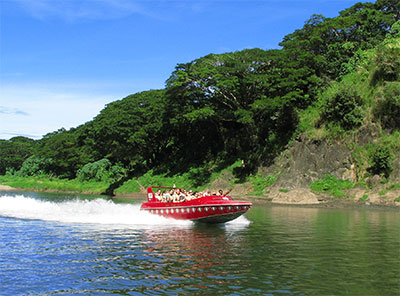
45	183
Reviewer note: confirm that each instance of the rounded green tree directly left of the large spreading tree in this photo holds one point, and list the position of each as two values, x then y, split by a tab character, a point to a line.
127	131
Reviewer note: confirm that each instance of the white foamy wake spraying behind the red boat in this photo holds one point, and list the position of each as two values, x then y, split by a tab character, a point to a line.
98	211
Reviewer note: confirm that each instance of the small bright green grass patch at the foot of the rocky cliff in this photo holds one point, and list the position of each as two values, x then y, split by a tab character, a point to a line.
332	186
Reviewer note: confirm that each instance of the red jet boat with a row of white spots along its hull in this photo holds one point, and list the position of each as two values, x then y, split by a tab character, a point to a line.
206	209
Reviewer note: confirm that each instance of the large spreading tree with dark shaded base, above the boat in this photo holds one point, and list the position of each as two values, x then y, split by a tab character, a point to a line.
233	103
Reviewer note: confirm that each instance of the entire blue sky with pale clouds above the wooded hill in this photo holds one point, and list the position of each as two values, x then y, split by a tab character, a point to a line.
62	61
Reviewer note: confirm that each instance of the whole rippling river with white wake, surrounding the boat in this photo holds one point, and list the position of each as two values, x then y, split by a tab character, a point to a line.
57	244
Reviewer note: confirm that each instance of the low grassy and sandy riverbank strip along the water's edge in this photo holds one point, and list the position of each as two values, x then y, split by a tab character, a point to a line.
355	197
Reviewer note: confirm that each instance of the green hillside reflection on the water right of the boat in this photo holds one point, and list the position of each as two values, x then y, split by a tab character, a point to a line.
329	251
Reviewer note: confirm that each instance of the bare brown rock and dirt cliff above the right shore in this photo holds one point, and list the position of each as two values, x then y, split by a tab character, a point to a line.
307	160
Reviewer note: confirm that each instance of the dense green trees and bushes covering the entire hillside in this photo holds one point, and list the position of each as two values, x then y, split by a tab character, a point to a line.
334	74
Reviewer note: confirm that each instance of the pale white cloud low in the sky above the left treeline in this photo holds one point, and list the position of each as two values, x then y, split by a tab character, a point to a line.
35	110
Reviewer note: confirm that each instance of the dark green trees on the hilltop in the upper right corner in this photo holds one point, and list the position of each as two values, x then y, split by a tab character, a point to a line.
333	41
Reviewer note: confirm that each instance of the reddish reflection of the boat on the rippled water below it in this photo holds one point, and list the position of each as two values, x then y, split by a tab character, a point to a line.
197	252
